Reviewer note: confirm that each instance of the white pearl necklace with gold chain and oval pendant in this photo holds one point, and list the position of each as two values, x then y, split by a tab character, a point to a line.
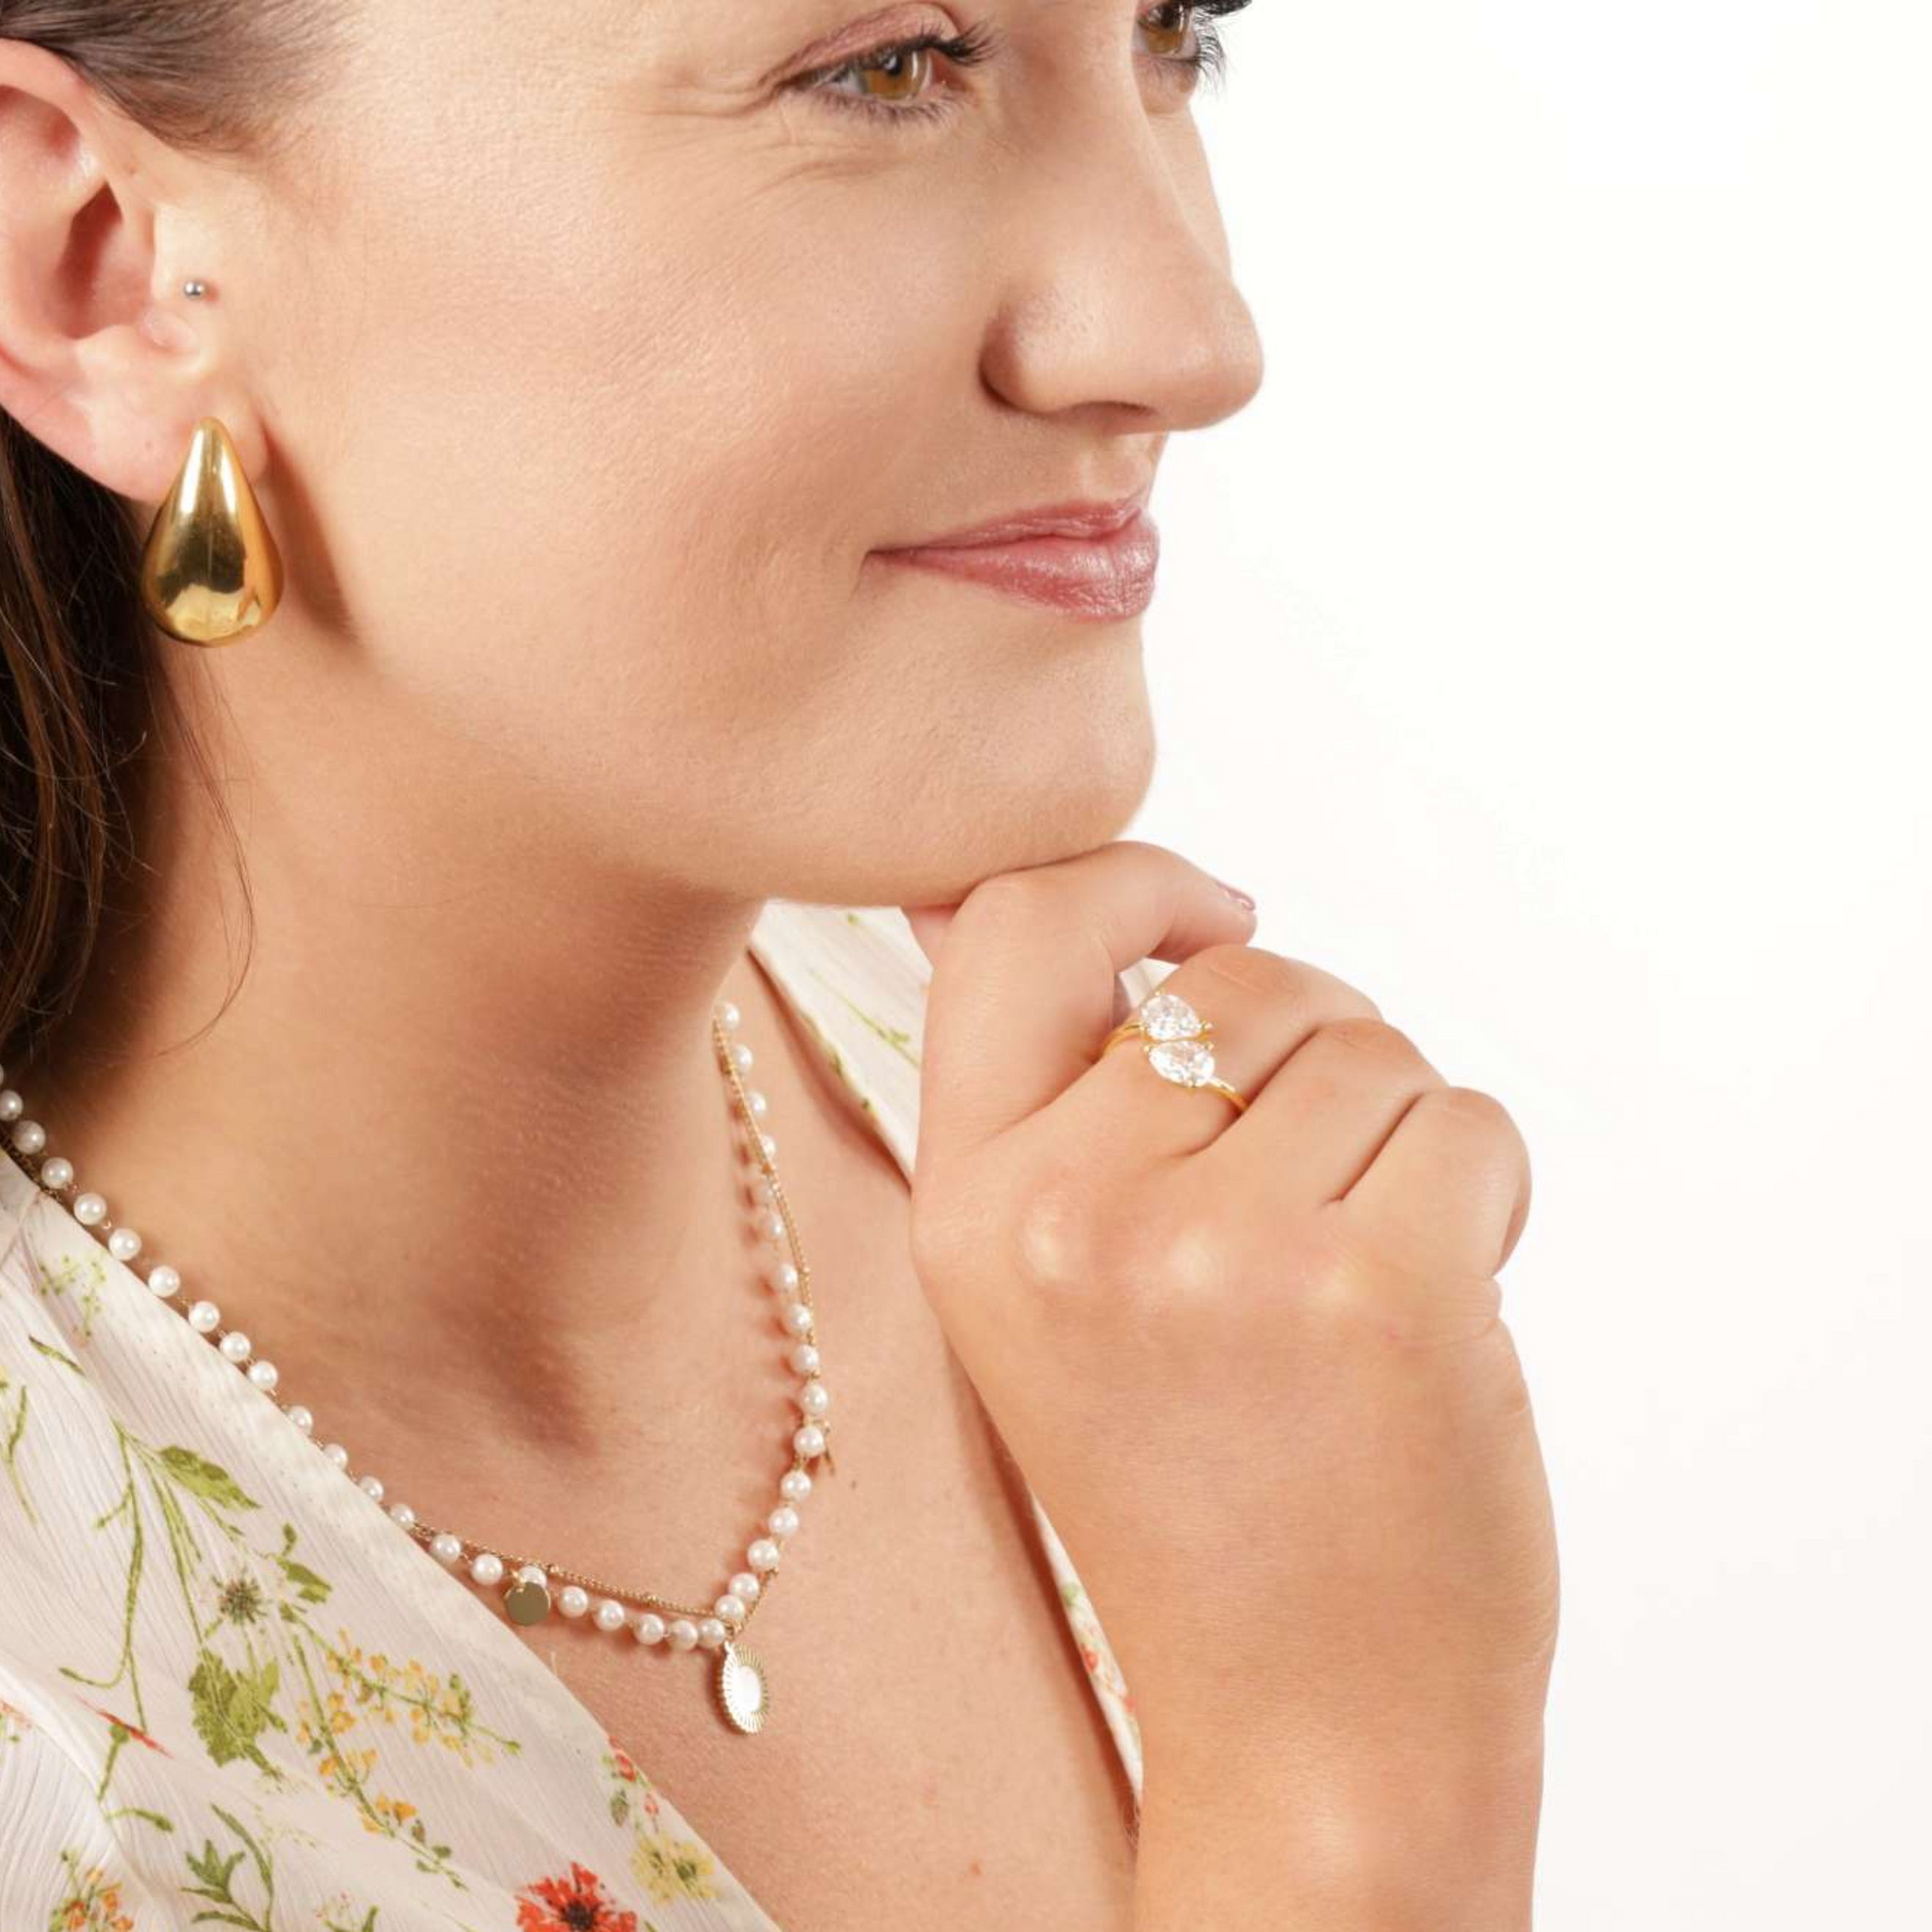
739	1680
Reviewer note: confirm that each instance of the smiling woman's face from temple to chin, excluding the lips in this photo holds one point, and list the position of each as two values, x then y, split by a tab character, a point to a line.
606	351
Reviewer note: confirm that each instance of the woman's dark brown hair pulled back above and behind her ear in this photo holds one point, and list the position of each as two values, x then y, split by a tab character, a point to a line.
78	685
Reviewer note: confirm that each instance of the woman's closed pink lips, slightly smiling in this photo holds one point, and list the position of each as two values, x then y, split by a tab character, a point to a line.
1094	561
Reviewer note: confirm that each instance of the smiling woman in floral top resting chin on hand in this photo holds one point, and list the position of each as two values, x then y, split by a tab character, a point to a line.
482	1454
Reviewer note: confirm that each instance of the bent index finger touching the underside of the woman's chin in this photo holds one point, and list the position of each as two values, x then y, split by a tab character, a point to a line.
1025	984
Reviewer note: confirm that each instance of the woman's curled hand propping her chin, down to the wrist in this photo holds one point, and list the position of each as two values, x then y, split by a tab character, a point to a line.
1251	1363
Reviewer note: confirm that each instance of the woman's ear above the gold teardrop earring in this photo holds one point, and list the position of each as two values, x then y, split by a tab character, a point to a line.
101	355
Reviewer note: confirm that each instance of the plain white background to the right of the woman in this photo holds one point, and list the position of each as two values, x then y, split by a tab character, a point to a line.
1547	650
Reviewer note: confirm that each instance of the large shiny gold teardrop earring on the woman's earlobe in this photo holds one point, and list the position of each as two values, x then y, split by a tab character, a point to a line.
212	571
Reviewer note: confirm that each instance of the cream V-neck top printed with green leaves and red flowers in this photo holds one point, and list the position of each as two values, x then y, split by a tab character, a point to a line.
235	1691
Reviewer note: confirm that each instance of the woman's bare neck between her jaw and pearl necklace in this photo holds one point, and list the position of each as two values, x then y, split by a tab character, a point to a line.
459	1152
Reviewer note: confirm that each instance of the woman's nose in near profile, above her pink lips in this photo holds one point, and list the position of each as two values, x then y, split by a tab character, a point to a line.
1118	289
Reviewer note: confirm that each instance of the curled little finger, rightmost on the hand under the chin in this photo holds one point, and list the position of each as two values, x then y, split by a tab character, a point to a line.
1452	1179
